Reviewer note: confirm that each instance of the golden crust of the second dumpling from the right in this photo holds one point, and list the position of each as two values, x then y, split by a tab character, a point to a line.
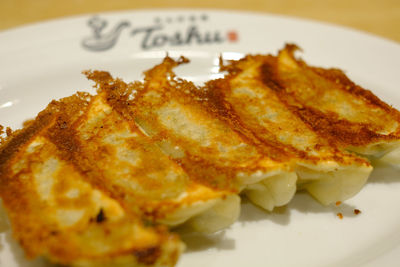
265	110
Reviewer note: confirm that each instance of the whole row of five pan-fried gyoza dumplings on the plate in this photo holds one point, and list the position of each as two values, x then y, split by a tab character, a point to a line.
112	170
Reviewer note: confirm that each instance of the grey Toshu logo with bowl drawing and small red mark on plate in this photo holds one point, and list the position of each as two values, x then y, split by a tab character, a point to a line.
156	35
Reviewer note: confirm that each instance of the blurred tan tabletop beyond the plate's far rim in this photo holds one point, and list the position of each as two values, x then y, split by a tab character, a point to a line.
379	17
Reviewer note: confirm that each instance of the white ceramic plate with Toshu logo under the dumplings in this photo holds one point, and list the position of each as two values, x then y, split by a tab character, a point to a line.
43	61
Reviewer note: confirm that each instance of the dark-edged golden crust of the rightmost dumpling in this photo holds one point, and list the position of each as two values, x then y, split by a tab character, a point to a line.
346	114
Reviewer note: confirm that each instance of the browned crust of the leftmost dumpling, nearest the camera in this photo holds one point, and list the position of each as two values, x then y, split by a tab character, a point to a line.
45	153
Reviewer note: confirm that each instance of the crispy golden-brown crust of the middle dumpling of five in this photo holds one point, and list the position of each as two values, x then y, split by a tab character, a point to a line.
206	164
